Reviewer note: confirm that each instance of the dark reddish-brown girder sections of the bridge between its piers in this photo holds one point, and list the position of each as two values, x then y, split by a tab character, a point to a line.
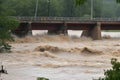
75	26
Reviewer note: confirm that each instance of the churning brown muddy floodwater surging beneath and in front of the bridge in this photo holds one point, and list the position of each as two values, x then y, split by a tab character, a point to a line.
60	57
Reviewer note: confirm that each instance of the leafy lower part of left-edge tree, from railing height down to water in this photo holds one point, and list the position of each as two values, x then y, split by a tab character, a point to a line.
6	25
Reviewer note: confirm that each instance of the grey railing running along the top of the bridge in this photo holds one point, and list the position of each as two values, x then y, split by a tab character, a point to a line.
65	19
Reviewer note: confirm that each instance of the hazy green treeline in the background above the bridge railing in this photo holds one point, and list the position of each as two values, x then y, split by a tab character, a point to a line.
64	8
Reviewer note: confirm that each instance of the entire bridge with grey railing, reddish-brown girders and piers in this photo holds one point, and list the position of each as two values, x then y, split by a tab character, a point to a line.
60	25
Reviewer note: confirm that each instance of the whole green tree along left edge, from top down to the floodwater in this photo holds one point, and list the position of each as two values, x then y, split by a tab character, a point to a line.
6	25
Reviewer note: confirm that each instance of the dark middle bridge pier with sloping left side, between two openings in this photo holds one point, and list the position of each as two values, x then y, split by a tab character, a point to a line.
60	30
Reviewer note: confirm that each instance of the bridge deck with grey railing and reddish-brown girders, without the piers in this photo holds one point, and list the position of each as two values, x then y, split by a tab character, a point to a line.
73	23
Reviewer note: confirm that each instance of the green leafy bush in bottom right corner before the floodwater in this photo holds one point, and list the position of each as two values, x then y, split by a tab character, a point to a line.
114	73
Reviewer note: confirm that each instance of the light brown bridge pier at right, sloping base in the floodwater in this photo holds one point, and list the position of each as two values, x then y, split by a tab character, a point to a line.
94	33
